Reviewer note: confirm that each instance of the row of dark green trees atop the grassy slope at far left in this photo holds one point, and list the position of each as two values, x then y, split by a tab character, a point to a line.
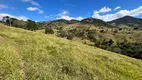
29	24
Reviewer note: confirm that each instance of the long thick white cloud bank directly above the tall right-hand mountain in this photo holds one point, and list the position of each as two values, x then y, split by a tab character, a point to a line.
119	14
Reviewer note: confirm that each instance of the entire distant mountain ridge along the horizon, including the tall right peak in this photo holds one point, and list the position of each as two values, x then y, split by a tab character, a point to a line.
126	20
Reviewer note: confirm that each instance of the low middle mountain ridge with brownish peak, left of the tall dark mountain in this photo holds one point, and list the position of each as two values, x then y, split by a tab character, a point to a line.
63	22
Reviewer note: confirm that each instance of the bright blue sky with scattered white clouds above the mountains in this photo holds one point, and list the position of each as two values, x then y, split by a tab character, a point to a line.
44	10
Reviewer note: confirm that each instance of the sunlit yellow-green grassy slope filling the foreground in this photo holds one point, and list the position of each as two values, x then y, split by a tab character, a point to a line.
36	56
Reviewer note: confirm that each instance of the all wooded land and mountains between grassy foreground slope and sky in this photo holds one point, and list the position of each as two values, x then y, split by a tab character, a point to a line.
101	34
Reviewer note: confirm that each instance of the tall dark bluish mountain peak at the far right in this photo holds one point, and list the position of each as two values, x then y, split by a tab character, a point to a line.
127	20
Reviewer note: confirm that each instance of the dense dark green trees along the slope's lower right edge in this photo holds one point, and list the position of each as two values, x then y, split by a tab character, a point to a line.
130	49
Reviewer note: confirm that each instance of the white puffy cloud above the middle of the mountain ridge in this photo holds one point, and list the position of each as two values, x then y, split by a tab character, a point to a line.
64	15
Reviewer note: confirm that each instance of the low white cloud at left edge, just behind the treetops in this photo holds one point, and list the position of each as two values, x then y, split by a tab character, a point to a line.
12	16
